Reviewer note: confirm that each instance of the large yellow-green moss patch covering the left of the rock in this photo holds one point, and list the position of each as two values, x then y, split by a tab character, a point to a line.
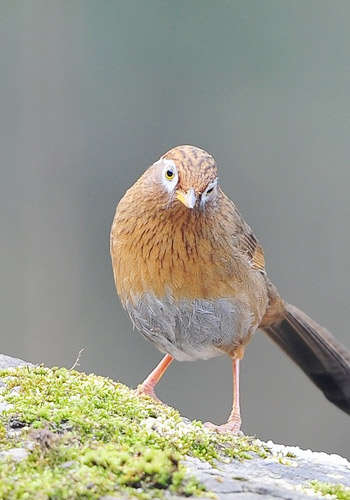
91	436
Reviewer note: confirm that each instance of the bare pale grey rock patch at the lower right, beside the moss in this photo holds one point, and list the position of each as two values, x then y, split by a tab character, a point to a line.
267	478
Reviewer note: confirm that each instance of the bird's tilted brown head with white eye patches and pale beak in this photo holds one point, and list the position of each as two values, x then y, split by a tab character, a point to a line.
187	175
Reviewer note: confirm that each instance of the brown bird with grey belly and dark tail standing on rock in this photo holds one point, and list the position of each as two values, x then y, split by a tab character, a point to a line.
191	274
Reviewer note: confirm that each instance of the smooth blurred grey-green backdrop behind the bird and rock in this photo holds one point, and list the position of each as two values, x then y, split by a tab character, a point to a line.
93	92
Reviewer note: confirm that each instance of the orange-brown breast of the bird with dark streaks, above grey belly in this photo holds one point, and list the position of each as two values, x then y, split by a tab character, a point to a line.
185	253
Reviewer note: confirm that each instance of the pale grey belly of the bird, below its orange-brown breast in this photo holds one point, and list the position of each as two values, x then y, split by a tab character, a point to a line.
190	329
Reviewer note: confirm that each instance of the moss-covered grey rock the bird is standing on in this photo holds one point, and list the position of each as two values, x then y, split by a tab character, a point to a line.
67	435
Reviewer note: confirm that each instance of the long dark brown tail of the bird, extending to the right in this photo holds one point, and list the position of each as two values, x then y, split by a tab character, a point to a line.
324	360
